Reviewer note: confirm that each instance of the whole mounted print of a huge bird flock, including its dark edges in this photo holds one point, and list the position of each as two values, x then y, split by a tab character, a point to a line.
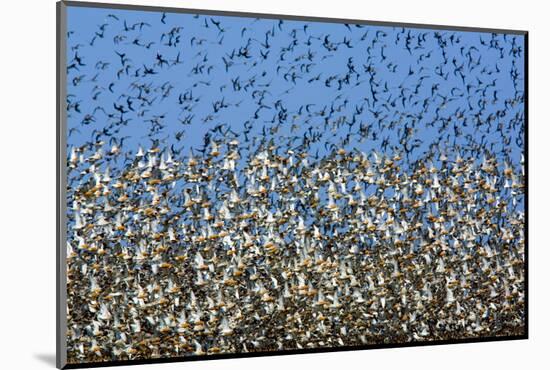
235	184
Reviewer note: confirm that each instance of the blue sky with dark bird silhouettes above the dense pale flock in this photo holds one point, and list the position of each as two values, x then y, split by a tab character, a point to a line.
450	81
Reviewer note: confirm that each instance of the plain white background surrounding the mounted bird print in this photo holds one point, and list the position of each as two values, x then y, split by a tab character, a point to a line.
27	182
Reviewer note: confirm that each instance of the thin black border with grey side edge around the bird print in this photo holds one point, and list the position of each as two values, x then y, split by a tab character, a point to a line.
61	357
